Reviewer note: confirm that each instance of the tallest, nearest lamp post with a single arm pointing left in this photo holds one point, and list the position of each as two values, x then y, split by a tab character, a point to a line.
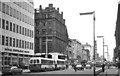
89	13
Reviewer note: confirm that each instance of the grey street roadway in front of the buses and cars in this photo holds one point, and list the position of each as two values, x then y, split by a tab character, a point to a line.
69	71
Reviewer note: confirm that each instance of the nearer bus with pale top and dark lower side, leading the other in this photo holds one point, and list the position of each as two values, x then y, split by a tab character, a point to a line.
41	64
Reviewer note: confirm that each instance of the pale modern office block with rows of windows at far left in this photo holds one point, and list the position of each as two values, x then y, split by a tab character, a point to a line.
16	31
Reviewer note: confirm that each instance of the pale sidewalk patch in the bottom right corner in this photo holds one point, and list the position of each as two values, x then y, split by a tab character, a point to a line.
109	72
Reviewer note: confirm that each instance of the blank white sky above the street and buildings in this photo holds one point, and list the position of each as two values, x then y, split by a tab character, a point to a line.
80	27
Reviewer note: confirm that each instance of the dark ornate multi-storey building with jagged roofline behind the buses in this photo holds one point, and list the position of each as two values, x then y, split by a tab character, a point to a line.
50	30
